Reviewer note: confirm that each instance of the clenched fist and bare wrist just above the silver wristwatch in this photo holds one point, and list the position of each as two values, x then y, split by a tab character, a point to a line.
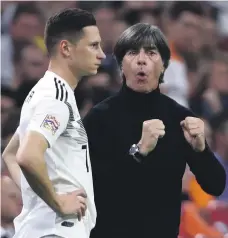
152	130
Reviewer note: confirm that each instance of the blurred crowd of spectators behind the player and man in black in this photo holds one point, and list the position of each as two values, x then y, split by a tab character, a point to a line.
197	78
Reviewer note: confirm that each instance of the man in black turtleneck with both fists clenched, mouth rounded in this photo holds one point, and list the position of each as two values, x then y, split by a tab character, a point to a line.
140	141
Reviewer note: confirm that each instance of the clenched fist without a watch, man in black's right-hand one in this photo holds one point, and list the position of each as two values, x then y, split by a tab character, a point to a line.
193	129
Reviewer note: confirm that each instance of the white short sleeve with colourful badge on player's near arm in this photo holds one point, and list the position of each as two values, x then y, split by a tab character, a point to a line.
50	119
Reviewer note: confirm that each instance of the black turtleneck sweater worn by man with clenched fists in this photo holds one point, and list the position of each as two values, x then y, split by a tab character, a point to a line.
143	200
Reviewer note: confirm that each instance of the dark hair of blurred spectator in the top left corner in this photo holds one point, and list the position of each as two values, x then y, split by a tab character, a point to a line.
25	8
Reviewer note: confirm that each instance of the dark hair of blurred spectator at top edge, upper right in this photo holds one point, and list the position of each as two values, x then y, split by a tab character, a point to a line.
177	8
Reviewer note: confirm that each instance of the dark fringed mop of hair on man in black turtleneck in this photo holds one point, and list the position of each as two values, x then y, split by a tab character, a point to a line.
142	35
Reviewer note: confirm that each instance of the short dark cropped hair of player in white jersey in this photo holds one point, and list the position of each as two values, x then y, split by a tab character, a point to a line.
66	24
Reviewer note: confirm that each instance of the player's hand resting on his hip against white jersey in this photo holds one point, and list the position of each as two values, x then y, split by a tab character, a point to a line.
73	203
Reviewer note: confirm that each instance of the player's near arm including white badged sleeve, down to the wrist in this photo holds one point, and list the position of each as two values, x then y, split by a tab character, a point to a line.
47	123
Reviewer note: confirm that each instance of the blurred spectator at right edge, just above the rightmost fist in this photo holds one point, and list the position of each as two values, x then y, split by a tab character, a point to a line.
211	92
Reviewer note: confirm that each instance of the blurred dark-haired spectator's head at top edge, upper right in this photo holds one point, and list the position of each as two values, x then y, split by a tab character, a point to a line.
185	28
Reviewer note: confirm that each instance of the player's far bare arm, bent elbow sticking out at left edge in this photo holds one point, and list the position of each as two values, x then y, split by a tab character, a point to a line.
9	157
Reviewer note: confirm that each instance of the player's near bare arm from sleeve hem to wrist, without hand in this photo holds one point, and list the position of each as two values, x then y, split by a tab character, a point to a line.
30	158
